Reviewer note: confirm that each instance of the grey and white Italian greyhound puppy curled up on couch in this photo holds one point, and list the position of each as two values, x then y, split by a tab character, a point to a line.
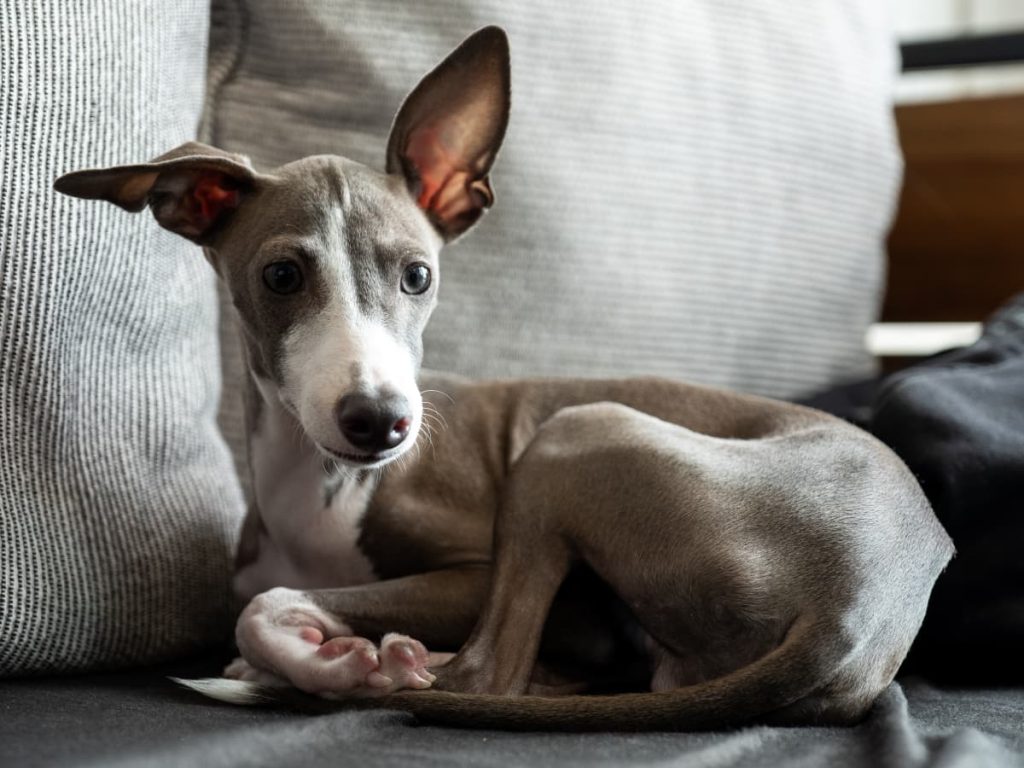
704	559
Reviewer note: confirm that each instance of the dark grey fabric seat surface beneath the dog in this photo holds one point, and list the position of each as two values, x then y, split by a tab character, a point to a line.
143	719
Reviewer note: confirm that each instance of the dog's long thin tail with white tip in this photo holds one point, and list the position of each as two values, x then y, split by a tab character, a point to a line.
806	660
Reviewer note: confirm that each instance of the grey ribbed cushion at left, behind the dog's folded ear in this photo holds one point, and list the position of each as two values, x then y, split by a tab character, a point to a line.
118	501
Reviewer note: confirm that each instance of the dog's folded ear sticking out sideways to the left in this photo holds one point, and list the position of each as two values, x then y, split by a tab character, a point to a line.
191	190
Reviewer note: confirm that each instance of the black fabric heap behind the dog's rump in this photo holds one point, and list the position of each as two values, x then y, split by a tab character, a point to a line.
958	421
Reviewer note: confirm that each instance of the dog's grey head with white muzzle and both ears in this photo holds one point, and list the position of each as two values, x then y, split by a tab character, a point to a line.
333	267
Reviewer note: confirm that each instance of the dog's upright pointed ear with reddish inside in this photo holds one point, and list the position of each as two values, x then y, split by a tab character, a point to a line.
448	133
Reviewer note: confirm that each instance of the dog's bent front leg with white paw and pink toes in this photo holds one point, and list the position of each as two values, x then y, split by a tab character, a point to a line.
323	642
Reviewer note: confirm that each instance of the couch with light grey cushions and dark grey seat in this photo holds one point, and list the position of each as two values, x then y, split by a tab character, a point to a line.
697	190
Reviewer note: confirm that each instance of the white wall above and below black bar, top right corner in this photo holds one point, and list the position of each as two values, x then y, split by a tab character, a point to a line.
922	20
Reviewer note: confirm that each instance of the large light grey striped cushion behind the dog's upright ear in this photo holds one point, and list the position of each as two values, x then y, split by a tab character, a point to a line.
697	190
